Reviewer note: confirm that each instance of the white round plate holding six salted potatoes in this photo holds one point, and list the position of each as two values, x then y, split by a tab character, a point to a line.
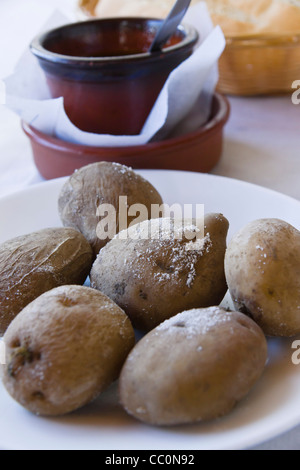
271	408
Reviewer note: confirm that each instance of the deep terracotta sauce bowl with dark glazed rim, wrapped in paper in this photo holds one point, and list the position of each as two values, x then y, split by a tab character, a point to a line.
105	73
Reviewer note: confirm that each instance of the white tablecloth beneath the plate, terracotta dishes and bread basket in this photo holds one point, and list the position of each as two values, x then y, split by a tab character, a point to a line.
262	137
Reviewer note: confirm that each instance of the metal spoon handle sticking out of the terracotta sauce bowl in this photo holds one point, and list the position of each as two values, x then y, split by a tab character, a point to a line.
170	24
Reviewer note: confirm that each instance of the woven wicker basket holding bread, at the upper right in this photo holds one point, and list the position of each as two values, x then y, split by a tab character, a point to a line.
261	64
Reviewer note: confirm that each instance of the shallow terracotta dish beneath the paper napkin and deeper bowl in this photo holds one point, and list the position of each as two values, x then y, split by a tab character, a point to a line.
199	151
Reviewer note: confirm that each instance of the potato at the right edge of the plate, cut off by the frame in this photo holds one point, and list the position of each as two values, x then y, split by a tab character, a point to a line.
262	266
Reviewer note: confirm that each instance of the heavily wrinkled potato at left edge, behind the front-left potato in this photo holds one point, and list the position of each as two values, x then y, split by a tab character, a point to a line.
37	262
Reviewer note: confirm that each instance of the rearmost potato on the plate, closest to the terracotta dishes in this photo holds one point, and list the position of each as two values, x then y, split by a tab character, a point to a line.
99	184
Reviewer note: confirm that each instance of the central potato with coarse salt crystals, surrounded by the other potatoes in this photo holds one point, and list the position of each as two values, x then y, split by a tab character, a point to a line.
153	277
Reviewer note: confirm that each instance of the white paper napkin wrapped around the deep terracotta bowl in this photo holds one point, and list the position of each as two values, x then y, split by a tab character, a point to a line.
183	105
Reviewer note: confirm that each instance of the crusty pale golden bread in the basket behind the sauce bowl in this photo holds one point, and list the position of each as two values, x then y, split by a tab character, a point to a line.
236	17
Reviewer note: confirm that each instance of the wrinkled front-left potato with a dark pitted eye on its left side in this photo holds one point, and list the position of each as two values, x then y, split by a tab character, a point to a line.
64	349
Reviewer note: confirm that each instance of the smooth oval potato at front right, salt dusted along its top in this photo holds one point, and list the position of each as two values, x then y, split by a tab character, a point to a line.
193	367
